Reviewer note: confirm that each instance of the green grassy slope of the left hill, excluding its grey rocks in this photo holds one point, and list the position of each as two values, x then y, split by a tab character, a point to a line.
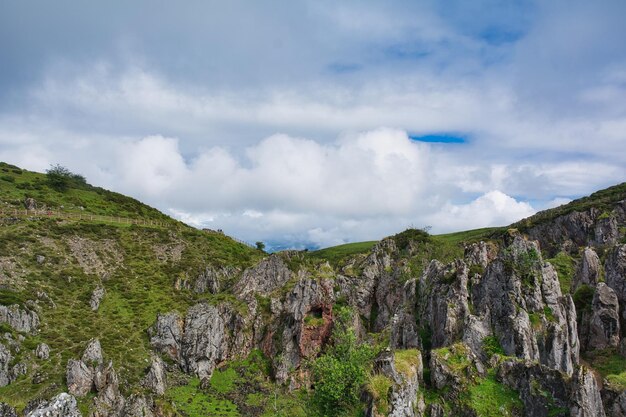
55	265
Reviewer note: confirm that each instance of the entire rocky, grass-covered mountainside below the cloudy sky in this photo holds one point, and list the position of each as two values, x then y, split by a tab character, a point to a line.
110	308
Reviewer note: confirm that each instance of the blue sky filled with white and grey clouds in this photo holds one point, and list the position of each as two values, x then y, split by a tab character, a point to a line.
316	123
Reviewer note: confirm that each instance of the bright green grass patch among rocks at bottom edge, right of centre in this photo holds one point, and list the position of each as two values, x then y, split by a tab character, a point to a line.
490	398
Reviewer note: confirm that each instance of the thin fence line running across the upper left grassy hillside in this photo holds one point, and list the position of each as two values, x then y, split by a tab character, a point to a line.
20	213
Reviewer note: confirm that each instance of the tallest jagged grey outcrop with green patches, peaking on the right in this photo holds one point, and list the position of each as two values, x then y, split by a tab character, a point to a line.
520	297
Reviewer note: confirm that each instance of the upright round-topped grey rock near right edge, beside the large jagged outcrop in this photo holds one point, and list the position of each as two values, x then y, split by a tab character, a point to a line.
604	326
